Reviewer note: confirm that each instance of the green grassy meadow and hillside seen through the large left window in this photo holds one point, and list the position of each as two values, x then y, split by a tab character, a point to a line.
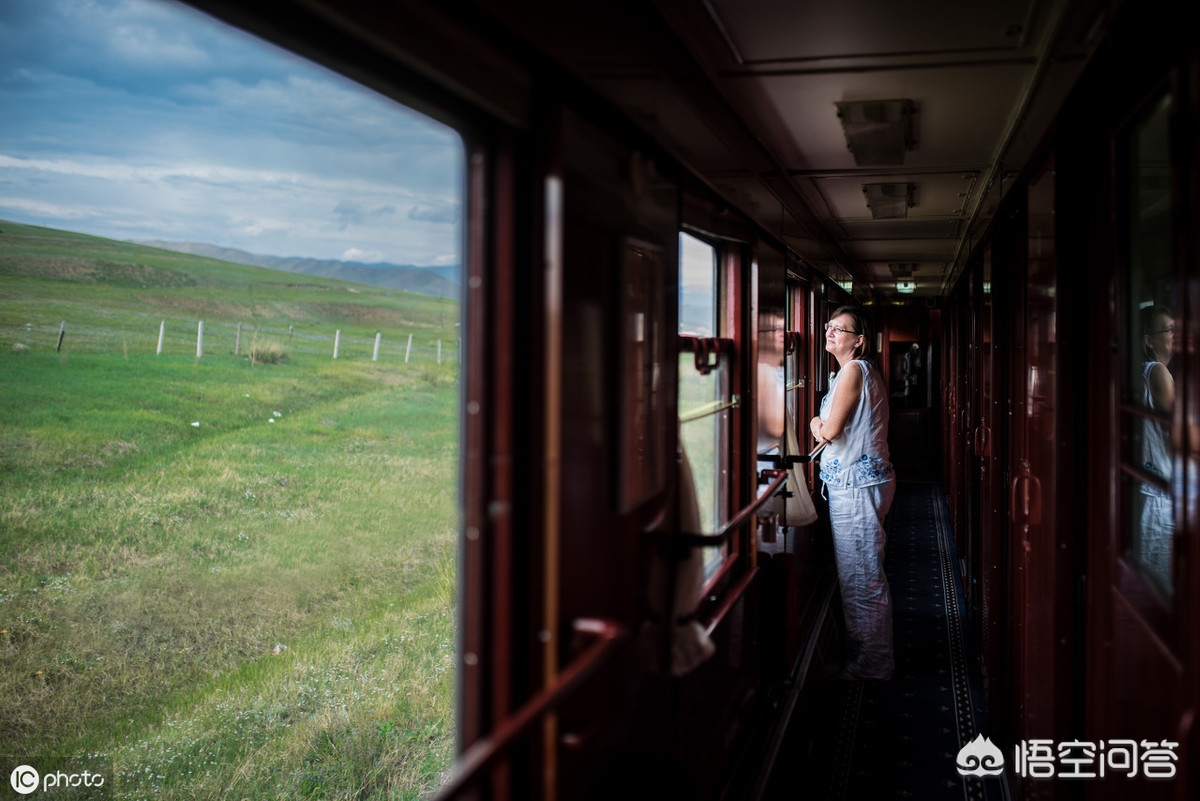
235	577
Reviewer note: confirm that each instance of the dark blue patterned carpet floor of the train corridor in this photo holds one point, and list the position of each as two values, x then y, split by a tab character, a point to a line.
899	739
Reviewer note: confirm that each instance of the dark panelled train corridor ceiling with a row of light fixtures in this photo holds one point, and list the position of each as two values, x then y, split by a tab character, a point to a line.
874	137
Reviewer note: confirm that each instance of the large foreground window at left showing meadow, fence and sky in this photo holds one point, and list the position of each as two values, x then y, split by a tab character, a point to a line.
231	429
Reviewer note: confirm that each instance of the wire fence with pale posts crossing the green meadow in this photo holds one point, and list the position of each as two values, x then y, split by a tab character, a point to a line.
202	339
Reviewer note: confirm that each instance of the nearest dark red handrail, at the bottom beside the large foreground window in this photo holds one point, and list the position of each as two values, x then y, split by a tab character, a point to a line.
485	751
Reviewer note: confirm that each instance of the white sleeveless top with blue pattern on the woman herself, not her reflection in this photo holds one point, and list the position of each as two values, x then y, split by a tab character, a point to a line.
860	457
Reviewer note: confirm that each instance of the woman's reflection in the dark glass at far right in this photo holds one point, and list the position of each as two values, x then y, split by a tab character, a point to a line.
1157	525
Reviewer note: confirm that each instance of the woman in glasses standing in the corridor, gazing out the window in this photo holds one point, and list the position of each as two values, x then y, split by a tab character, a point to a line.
860	486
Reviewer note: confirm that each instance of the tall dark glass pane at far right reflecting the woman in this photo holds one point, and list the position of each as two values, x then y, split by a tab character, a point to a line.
1156	336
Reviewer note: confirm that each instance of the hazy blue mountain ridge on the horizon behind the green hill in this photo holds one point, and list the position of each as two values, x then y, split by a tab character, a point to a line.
440	282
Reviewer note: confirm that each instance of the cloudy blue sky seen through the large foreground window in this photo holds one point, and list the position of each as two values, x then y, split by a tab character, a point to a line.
145	119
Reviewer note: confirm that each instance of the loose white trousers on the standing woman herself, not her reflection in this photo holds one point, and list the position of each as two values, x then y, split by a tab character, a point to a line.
856	516
